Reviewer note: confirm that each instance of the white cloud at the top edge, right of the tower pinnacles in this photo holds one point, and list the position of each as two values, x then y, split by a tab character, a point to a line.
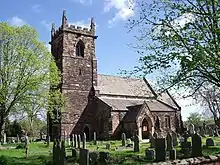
124	9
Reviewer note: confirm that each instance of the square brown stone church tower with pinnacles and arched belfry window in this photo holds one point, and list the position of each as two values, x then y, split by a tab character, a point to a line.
74	51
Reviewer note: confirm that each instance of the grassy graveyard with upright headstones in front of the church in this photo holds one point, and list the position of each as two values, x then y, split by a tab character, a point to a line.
113	152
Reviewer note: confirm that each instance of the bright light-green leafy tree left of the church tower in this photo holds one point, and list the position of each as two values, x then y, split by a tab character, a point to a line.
27	71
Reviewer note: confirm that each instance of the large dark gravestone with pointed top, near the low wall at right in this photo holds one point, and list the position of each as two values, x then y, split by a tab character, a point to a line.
196	145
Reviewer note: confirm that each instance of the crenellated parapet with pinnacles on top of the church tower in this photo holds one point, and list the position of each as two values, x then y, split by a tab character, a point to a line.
65	27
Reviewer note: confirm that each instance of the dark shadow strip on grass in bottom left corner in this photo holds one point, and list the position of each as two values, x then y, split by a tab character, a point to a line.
32	160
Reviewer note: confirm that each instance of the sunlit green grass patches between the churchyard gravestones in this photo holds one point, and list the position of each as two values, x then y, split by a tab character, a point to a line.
40	154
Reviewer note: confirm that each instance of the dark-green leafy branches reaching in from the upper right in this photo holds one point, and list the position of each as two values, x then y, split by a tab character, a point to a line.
181	38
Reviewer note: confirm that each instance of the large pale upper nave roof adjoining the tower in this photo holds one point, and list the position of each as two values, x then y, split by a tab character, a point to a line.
123	86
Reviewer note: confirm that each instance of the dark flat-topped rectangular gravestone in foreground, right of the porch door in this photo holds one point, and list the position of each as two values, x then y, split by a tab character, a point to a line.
160	149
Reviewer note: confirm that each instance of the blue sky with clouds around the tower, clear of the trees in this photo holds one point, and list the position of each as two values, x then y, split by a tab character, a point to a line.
112	50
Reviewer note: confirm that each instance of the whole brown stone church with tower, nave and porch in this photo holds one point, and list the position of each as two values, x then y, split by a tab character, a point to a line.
105	104
